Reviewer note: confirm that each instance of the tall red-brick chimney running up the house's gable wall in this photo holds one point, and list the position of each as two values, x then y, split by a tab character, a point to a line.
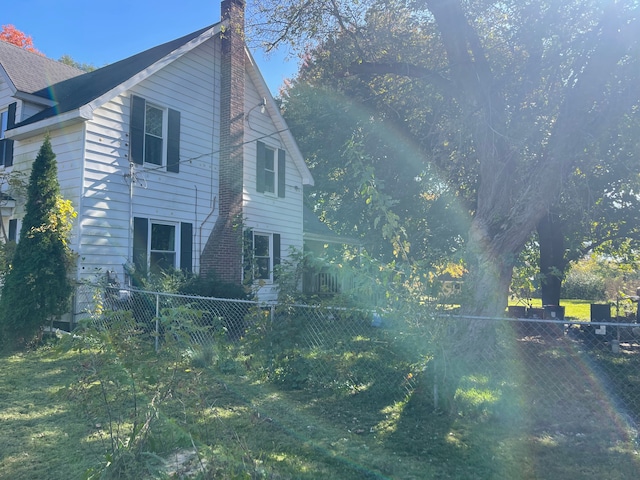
222	254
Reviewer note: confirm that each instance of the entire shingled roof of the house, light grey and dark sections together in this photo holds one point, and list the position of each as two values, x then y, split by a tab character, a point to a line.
71	88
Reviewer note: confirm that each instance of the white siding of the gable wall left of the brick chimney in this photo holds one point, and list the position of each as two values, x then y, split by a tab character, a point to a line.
188	85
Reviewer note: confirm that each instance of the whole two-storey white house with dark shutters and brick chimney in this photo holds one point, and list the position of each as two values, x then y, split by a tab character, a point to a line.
172	158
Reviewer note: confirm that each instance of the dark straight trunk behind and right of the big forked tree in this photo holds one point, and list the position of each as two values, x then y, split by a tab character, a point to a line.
552	262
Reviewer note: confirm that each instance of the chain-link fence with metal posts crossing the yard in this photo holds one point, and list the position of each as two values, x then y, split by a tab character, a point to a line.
557	367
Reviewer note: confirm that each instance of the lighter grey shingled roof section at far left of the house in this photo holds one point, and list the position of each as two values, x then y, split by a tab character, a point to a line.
30	72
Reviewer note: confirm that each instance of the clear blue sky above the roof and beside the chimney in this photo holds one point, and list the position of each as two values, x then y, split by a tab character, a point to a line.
100	33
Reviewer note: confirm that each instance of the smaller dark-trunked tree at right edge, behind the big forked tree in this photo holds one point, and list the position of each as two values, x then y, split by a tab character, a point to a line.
598	210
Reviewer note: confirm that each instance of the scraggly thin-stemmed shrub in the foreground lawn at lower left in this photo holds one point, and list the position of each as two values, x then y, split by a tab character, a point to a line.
113	390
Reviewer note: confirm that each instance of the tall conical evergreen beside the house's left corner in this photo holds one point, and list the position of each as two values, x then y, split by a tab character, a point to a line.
38	287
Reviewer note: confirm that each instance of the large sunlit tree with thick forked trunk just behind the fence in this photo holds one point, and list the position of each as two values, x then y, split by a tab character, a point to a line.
528	85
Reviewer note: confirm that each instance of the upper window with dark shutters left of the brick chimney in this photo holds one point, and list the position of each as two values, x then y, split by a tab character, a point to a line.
155	135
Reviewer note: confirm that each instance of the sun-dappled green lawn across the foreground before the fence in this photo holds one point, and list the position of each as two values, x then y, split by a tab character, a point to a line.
55	424
